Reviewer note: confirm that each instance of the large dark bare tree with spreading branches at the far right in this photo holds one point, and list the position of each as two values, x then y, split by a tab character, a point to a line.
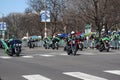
99	13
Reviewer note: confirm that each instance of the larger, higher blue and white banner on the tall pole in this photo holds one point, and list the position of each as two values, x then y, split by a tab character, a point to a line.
45	16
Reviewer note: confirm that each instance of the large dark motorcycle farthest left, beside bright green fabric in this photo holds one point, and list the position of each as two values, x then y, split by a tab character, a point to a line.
14	47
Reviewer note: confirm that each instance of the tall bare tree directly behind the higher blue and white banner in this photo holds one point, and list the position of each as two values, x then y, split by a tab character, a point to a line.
54	6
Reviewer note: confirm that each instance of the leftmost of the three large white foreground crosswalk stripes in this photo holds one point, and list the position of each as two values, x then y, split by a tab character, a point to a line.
35	77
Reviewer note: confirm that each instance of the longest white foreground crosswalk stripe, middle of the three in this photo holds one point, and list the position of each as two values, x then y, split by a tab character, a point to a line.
83	76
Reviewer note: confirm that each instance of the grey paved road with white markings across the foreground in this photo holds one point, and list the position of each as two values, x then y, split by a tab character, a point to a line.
42	64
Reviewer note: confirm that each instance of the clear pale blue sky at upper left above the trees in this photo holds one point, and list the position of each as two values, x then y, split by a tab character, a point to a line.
11	6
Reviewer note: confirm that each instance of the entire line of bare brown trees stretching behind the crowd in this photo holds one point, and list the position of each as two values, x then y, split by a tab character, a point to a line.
66	15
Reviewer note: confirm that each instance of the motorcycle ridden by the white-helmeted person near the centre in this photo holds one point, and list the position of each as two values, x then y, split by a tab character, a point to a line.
71	47
